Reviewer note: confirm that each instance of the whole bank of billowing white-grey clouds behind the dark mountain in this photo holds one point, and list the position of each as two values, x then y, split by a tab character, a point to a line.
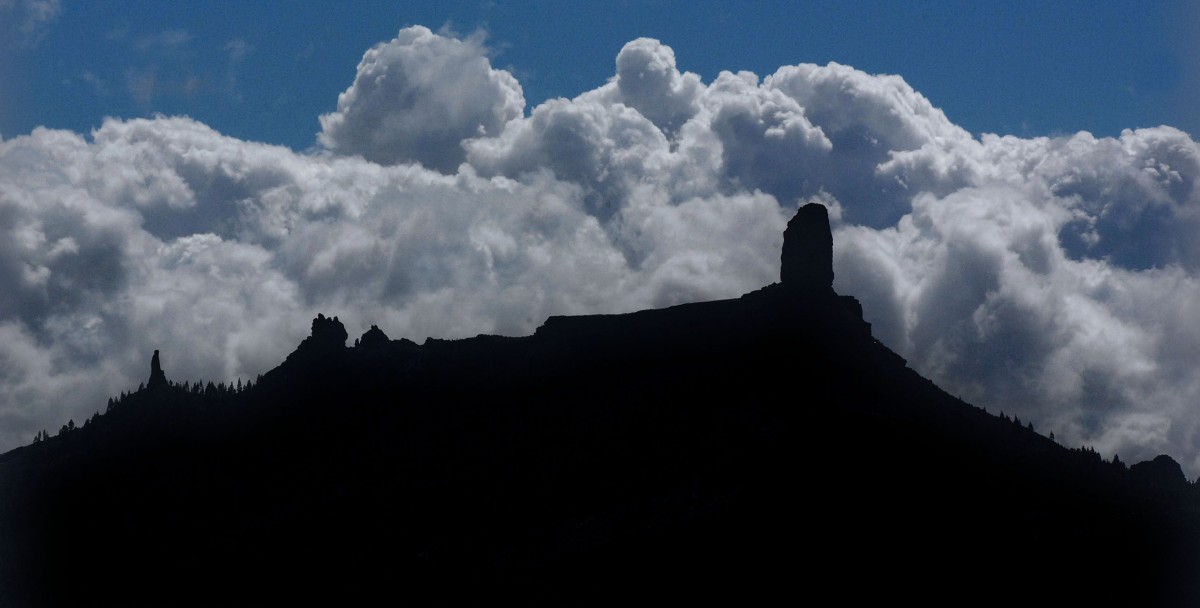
1054	279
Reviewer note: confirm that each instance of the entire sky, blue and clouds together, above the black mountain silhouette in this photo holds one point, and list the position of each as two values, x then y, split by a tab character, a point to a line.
1015	189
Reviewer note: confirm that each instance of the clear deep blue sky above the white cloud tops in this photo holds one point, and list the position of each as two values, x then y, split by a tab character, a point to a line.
265	71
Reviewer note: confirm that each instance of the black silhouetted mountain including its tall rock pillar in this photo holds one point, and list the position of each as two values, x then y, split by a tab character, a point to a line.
761	449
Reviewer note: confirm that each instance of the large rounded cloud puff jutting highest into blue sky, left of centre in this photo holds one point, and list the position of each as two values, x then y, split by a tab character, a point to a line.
417	98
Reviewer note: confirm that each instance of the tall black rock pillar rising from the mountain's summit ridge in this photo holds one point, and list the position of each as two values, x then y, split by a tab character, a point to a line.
808	251
